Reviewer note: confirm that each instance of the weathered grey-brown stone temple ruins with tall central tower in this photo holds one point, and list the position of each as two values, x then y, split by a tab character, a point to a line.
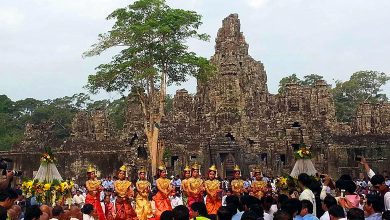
232	119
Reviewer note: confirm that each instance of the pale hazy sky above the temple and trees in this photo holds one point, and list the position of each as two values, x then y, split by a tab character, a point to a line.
42	41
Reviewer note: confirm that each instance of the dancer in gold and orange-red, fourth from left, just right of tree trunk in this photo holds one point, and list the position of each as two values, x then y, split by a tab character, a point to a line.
164	187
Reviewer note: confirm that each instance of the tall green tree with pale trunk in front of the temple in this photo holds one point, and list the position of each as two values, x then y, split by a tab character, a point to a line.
154	54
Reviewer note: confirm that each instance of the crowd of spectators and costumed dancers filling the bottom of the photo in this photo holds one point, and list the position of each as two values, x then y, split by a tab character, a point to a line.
196	197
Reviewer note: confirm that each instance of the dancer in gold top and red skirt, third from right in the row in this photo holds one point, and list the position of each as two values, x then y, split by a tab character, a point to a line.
213	200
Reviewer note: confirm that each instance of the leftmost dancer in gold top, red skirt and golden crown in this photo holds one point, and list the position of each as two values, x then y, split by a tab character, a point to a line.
94	188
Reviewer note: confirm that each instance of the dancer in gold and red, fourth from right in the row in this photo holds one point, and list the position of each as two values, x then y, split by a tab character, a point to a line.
195	186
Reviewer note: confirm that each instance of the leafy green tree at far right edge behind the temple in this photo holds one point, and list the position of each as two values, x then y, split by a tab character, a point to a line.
362	87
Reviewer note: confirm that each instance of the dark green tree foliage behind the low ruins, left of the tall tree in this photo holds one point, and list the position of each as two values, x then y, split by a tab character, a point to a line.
15	115
